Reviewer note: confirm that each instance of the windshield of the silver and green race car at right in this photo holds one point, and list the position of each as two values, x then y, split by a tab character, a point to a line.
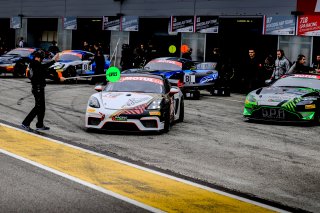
312	82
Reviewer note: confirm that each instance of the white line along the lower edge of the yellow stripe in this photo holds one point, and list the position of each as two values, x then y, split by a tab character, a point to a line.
74	179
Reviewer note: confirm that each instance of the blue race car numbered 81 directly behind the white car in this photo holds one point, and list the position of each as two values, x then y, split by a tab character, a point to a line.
187	75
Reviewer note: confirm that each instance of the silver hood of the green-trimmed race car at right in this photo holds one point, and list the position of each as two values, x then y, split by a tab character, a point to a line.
274	96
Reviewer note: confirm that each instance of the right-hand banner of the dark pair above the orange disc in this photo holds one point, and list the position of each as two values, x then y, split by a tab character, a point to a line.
207	24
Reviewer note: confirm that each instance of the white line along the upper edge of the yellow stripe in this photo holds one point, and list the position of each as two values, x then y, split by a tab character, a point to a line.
158	173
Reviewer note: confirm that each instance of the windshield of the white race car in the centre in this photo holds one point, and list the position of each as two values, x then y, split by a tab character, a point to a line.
136	84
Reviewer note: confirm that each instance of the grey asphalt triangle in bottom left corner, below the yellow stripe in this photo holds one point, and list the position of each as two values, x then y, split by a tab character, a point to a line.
26	188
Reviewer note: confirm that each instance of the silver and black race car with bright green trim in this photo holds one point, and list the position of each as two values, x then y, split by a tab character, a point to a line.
292	98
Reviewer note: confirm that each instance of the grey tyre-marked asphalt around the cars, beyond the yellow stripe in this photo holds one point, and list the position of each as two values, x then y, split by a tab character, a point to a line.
215	145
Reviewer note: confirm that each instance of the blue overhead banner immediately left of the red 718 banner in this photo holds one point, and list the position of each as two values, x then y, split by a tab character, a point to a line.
279	25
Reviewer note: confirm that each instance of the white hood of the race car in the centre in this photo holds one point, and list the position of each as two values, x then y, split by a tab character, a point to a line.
127	100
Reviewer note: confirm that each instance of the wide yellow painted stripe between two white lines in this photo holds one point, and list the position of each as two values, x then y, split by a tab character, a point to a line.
146	187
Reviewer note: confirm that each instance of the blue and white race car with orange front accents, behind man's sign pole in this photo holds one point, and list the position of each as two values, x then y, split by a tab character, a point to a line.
73	63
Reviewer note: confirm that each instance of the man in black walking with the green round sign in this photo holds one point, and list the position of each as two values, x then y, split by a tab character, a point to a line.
38	81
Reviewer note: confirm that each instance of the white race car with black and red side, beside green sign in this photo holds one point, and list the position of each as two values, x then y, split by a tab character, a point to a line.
137	102
